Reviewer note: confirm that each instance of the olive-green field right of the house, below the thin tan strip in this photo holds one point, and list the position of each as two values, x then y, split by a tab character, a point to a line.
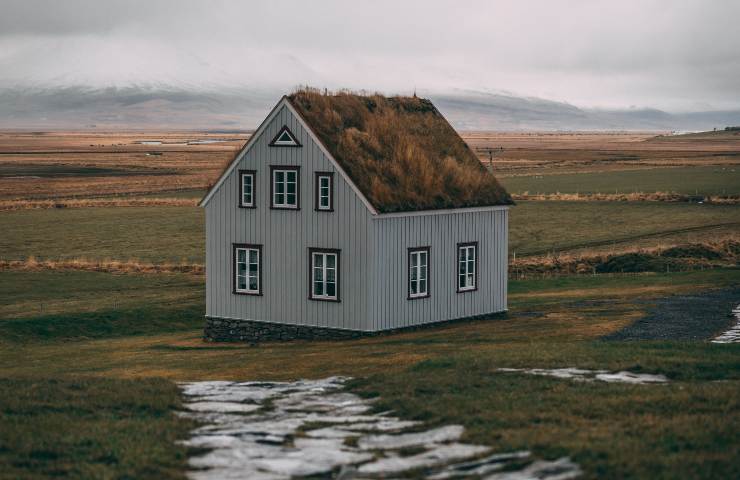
539	227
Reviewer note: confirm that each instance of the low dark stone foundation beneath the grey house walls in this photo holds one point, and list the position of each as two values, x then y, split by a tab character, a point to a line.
232	330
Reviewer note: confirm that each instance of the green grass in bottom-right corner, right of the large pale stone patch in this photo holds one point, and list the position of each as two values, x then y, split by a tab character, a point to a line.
687	429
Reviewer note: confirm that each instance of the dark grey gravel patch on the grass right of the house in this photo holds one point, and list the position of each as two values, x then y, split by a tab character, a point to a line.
685	317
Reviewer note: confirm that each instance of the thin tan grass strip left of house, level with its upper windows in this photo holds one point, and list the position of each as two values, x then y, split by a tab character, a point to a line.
97	202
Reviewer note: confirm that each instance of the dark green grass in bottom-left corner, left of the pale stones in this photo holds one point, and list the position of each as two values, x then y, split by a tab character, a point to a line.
90	428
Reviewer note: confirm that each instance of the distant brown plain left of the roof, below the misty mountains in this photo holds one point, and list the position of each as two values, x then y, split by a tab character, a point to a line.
180	167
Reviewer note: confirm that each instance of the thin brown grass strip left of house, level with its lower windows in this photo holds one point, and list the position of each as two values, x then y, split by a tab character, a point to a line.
107	265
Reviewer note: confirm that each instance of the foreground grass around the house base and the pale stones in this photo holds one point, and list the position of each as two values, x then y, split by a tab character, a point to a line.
121	380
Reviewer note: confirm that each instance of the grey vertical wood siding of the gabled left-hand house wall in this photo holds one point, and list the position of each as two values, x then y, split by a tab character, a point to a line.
286	236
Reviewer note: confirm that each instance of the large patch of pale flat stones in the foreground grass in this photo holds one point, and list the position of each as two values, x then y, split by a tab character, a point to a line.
282	430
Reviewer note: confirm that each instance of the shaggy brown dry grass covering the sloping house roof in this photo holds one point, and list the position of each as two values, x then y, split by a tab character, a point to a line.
400	152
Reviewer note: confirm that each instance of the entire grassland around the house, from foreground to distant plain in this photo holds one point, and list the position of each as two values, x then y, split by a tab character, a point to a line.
89	359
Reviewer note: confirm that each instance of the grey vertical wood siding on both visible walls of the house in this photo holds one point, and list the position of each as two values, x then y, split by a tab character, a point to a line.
374	260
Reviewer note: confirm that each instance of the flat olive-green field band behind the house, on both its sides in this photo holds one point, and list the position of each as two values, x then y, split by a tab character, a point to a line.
175	234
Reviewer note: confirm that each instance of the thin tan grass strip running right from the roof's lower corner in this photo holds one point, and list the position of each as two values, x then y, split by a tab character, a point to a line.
629	197
